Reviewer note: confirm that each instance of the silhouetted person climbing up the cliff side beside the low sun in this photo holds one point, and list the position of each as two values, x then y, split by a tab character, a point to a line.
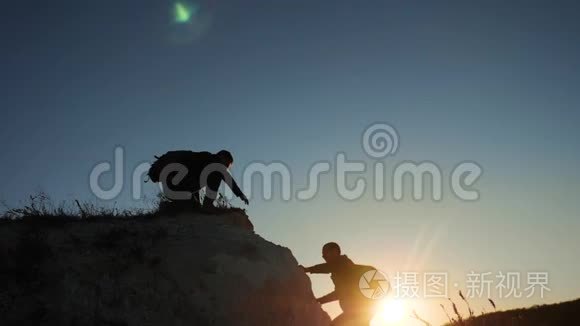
356	308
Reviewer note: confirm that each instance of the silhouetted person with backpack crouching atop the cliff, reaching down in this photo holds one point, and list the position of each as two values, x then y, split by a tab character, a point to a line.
184	173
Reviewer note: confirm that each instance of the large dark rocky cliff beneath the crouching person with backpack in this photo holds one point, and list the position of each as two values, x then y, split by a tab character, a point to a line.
189	269
